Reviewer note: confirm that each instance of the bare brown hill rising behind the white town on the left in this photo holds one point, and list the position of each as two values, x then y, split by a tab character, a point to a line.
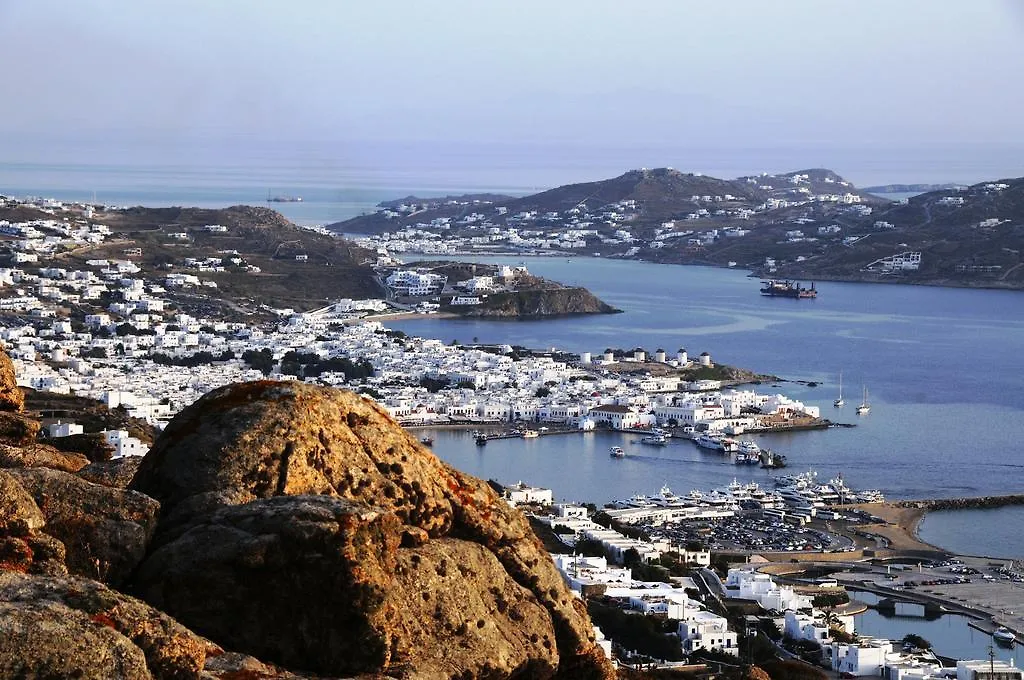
267	260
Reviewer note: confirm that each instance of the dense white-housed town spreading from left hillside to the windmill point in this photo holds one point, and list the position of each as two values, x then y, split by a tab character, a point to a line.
111	332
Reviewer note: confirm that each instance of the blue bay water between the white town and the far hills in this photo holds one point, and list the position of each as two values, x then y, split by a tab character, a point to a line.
943	367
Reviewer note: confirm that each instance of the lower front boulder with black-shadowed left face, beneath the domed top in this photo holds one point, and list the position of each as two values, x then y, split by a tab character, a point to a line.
321	584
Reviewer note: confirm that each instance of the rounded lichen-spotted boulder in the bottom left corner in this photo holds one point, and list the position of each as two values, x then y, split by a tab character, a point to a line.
76	628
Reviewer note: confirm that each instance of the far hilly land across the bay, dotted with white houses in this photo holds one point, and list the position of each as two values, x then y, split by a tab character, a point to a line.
807	225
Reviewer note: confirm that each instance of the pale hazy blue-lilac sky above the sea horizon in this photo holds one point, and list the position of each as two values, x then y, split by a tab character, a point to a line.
150	78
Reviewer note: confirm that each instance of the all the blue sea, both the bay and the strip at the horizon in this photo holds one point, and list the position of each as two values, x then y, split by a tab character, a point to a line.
942	367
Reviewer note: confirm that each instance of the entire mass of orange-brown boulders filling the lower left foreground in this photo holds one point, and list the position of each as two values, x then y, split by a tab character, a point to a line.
276	530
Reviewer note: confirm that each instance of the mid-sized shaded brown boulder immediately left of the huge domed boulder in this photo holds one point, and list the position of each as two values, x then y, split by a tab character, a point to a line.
106	531
